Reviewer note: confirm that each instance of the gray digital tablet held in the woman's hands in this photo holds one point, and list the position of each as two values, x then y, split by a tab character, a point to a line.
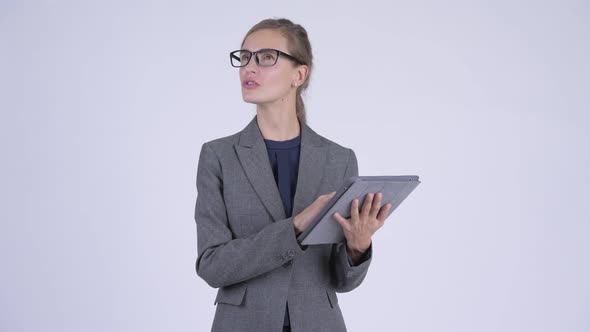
325	229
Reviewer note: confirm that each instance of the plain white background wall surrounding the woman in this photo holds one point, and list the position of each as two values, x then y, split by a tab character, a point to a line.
105	105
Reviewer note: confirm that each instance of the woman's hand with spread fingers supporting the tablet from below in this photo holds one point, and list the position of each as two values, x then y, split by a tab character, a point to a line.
361	226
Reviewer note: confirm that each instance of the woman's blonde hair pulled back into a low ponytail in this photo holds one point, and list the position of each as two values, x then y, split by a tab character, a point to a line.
299	47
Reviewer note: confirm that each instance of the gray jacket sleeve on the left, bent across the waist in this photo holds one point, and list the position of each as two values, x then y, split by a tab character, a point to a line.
221	259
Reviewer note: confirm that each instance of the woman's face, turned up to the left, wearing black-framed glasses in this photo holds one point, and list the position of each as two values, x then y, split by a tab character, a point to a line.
268	85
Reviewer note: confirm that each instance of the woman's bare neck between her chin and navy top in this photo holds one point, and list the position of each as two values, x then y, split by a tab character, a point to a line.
278	122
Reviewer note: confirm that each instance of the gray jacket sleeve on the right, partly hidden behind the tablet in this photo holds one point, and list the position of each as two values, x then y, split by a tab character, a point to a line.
345	276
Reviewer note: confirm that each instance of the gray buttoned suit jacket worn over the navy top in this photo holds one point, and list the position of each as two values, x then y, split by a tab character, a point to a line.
247	247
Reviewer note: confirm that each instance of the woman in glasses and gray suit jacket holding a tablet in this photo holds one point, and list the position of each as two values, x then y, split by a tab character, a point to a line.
258	189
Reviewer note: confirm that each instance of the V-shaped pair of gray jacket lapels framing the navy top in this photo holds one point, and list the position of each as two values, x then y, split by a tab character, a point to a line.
253	156
